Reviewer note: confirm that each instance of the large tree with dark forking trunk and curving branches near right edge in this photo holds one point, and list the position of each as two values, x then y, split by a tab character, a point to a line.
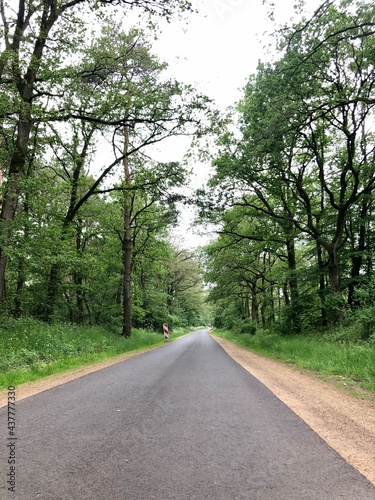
334	81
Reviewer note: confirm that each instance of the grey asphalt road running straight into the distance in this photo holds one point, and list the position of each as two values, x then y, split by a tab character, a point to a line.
182	422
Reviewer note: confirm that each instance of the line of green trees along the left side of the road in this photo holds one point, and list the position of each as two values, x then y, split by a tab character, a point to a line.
85	211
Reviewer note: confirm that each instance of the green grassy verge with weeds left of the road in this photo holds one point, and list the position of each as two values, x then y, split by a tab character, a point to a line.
30	350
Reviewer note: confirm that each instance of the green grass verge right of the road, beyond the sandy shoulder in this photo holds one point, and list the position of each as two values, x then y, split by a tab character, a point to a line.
352	362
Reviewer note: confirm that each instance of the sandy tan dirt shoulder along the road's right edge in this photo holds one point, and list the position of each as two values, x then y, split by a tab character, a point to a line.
345	422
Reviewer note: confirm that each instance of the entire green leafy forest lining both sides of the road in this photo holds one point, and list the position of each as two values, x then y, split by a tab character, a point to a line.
87	213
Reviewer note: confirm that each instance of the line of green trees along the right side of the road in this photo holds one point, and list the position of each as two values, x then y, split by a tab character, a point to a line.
294	181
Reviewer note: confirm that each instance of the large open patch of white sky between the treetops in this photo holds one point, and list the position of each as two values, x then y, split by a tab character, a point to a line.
217	49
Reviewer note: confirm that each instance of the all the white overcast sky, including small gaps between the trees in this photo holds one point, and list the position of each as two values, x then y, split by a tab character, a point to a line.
216	52
